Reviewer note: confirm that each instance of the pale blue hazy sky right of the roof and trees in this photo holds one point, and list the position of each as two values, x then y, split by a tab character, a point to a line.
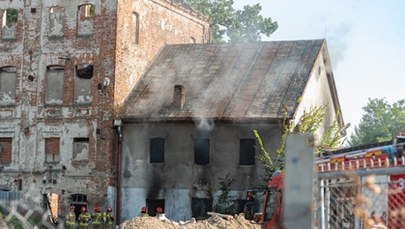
366	43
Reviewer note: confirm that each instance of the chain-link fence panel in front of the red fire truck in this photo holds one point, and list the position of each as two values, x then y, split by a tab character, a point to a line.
367	198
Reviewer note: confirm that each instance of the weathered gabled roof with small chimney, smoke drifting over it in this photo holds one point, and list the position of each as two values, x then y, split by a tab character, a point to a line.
242	81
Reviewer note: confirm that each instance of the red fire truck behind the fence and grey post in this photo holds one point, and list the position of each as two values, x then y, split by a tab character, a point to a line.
379	155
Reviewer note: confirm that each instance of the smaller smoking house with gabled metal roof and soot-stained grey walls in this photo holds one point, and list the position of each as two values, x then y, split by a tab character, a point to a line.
189	121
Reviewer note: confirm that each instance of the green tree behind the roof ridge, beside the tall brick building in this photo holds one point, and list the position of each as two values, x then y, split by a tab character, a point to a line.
238	25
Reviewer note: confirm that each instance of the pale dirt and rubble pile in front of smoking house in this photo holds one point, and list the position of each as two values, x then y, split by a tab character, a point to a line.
214	221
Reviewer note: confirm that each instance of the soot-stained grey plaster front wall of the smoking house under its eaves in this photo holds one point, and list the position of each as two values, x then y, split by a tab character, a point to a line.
178	179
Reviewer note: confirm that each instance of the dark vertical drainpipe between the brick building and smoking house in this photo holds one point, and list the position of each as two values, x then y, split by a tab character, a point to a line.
118	124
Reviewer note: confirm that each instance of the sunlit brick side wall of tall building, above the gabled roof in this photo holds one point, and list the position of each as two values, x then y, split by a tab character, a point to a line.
159	22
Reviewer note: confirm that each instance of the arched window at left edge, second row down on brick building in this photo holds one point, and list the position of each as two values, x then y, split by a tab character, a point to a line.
8	81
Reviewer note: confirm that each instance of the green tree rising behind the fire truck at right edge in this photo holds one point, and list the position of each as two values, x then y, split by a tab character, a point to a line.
380	122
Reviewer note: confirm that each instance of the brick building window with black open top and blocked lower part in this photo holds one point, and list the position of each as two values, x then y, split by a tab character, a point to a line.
82	89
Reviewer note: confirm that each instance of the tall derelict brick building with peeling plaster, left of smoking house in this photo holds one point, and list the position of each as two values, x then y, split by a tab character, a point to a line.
64	68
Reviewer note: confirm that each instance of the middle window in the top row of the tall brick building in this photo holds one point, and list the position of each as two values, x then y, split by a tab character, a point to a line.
56	21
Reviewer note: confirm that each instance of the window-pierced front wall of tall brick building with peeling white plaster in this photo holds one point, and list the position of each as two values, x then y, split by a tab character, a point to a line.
29	121
